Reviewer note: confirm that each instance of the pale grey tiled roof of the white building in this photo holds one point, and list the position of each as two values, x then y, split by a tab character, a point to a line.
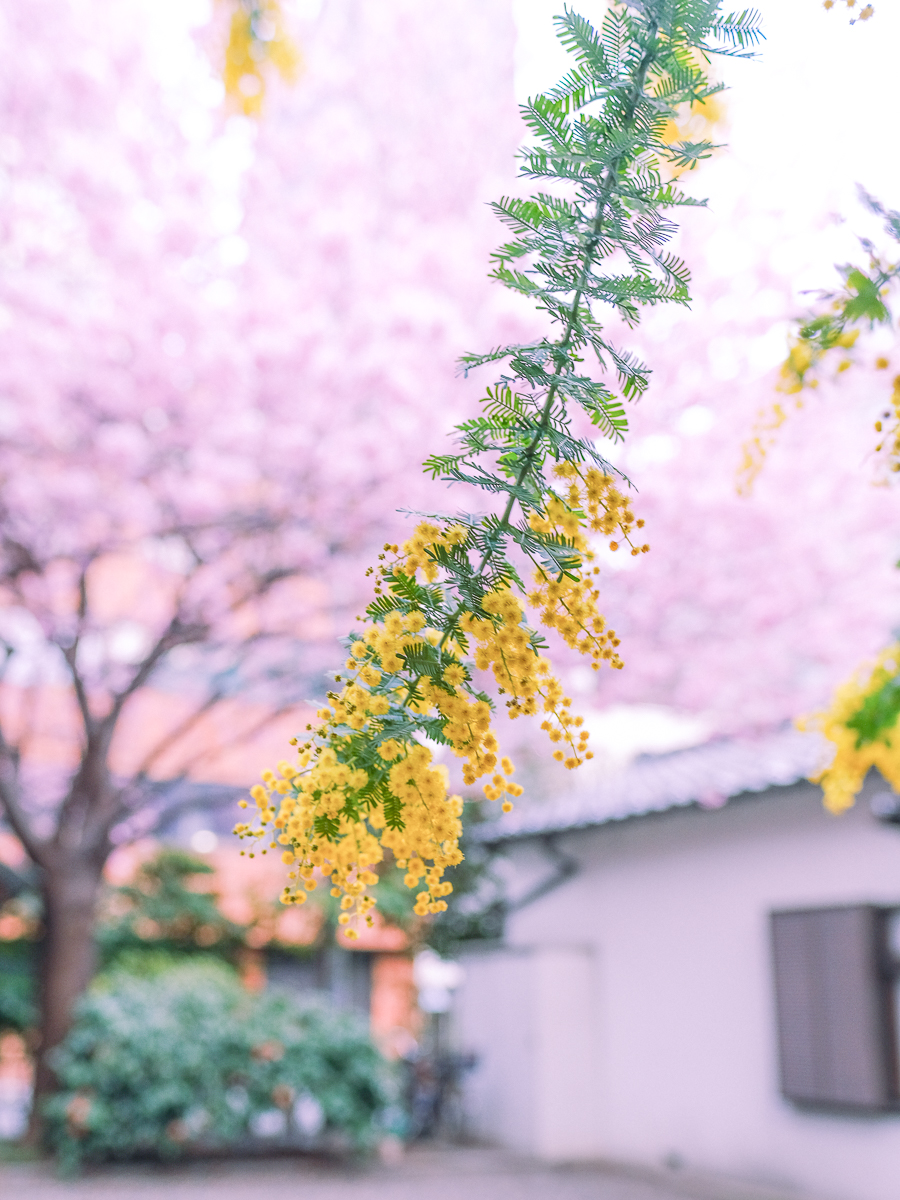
707	776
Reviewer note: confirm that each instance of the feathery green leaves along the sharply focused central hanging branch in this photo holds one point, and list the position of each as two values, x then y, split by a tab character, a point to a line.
598	251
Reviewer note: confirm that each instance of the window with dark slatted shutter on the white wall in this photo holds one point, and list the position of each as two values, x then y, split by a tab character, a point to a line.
836	982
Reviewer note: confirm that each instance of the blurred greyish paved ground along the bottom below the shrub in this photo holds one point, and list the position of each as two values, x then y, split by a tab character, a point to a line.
424	1174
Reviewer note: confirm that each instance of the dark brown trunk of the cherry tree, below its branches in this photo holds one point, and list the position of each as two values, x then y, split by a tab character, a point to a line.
68	961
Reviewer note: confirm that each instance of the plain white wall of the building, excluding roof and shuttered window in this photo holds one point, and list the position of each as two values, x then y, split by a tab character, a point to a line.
632	1013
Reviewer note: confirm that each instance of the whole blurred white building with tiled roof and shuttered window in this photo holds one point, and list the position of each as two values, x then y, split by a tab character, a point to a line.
700	971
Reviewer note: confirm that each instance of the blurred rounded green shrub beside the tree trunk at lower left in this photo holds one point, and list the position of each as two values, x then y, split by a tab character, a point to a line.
185	1060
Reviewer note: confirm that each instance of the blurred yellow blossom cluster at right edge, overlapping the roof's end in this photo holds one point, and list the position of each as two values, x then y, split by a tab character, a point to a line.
861	746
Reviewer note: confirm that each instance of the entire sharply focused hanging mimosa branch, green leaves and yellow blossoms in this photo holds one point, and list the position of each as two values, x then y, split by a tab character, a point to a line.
452	603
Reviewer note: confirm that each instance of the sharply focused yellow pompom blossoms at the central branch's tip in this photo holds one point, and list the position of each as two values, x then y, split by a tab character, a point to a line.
365	781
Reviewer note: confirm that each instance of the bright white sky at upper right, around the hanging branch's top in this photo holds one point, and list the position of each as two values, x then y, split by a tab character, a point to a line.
812	117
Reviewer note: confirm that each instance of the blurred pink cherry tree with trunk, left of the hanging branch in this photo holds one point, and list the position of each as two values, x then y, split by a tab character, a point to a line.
213	394
